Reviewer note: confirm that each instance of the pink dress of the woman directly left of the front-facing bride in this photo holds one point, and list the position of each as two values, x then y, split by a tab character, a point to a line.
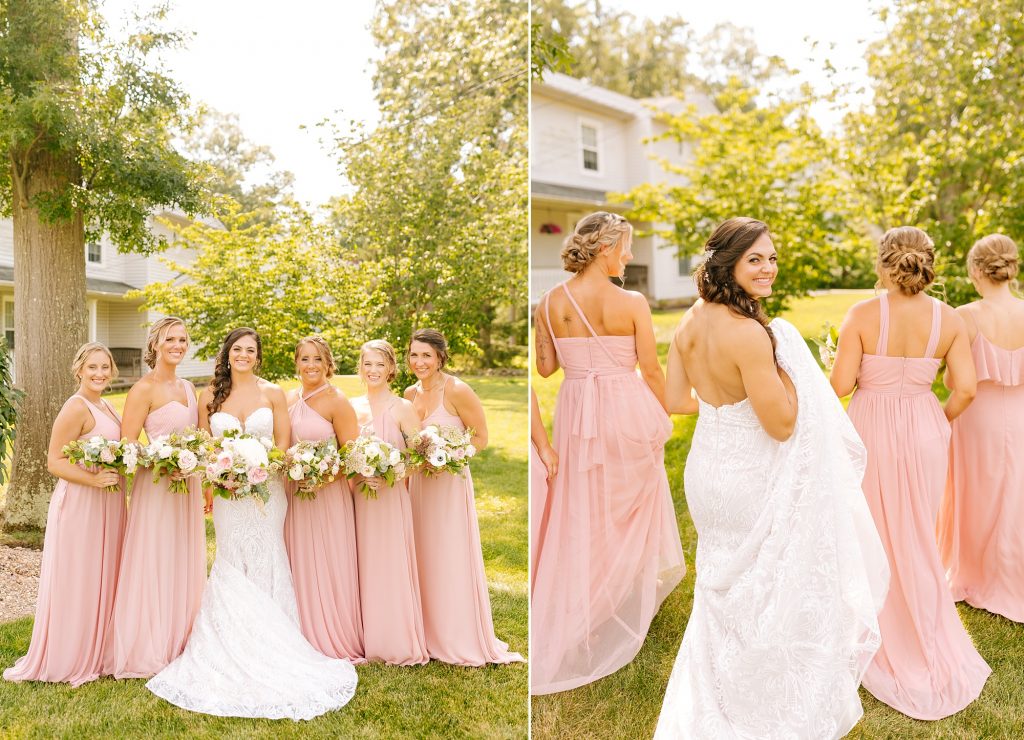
163	571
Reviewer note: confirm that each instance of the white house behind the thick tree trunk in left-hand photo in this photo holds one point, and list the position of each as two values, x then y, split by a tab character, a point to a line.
114	320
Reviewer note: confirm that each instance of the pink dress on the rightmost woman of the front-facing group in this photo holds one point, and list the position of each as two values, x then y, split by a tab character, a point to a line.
453	584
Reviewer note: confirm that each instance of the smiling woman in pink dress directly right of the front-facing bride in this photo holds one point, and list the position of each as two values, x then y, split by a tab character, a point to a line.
320	534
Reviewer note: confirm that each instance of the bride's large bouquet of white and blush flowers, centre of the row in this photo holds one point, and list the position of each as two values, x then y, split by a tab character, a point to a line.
240	465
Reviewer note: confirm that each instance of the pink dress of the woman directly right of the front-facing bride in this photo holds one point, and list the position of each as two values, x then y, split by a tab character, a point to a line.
320	536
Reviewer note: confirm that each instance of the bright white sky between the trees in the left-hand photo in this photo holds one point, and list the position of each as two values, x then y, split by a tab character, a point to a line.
279	66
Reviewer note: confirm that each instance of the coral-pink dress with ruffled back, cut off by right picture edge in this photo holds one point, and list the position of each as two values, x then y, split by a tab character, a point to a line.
982	523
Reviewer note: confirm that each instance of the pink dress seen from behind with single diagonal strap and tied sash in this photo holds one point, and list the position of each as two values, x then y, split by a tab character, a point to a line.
609	552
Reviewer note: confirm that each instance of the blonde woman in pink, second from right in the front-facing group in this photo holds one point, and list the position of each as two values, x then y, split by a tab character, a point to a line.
390	585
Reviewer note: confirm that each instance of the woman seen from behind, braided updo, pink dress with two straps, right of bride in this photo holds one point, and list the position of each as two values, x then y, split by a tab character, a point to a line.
890	349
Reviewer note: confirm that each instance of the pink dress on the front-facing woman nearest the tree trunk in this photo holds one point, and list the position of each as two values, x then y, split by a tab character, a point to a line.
81	555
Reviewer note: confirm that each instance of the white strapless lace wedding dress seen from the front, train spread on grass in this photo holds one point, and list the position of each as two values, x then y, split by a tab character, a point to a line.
246	656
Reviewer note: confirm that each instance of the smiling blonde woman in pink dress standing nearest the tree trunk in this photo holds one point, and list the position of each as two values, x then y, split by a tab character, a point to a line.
82	548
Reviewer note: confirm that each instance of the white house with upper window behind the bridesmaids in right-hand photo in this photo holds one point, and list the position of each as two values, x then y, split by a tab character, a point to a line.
587	143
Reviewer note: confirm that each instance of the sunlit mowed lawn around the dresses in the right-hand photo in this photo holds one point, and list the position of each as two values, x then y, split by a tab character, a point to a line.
627	704
